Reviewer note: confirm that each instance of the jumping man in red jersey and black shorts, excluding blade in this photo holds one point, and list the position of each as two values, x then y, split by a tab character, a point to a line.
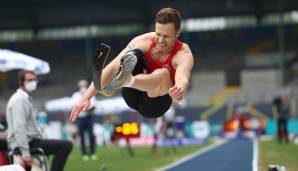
152	71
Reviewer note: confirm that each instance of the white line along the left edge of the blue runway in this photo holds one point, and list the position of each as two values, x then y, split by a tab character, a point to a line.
200	152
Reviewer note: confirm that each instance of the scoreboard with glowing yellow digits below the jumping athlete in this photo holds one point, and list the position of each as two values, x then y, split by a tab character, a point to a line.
126	130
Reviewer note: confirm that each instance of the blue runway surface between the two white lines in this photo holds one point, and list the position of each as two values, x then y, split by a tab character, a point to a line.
234	155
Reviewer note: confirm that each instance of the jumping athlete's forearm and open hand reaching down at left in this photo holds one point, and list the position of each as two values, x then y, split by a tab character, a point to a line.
83	103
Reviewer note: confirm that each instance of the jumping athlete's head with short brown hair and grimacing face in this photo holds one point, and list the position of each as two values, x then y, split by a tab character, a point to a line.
167	27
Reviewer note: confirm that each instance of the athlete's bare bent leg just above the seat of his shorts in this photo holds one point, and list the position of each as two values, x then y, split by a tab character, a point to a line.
155	84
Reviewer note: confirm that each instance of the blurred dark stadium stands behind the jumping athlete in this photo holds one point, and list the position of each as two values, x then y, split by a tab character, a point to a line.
245	50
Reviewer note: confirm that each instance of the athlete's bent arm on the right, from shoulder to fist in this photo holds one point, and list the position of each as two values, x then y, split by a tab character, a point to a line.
184	63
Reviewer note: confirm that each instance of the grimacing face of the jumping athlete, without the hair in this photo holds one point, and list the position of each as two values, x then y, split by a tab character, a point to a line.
166	36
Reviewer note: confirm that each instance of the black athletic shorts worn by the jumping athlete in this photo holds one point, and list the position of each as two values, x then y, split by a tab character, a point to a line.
139	100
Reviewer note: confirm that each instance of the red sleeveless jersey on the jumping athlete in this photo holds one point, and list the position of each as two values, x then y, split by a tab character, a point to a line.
151	64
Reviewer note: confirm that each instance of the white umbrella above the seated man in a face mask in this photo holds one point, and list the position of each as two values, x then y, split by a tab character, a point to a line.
10	60
